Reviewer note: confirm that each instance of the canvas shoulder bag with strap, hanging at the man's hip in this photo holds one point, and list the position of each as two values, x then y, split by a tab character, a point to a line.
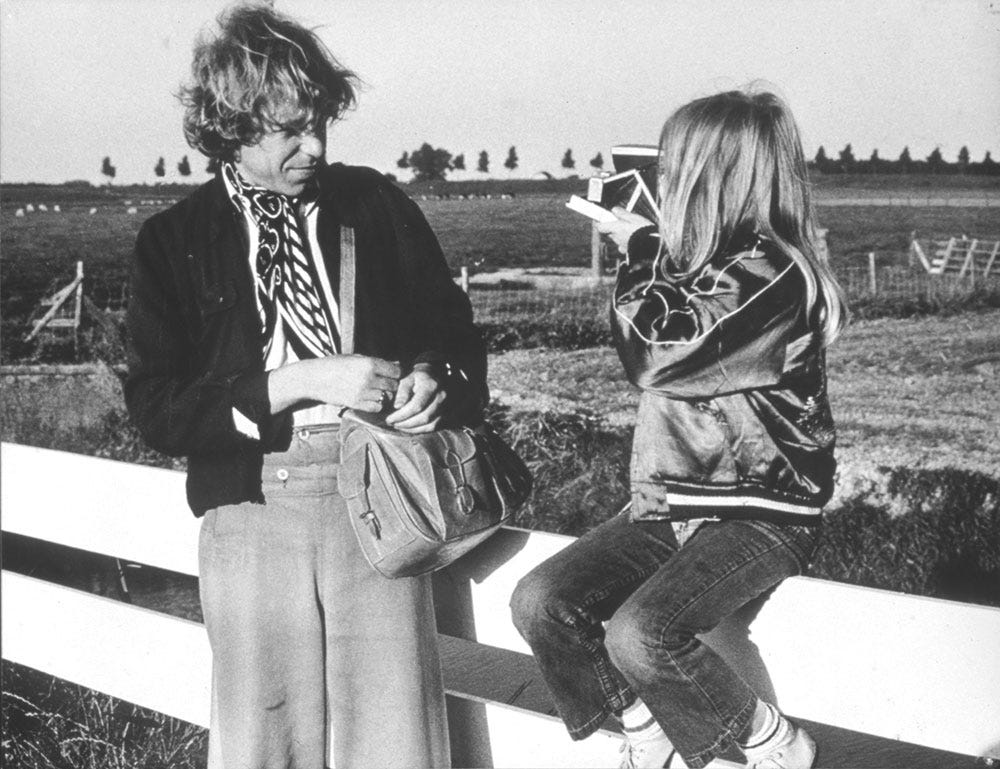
418	502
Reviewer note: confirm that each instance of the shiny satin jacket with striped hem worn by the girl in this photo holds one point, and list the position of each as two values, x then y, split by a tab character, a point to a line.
733	420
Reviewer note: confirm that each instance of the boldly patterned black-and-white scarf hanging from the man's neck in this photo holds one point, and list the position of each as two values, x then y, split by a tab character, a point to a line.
288	283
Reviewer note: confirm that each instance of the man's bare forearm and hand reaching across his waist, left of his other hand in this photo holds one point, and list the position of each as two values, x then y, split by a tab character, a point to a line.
355	381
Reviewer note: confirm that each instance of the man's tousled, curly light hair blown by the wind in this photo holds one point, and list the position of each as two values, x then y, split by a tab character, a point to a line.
263	70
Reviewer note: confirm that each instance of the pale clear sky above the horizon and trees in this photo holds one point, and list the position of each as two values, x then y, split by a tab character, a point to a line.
81	79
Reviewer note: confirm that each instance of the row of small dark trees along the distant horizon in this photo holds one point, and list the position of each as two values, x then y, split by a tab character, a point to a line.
433	163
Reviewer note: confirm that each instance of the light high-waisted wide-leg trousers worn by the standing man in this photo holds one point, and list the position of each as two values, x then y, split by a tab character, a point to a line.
316	657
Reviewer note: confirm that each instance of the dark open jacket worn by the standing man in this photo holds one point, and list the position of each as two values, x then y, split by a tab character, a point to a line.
195	341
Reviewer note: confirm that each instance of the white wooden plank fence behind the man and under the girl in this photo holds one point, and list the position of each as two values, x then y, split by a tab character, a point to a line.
920	670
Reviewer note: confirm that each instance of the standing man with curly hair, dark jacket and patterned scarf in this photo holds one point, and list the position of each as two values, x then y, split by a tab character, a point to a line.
276	295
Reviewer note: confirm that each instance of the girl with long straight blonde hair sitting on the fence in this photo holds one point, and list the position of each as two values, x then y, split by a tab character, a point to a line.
721	314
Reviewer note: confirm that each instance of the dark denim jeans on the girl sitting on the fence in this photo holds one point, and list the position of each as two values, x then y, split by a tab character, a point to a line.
655	597
